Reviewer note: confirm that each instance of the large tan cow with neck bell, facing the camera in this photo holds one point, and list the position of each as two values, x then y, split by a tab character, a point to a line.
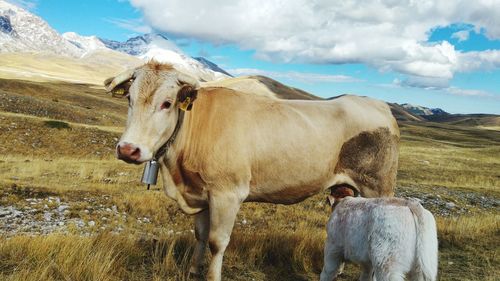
219	148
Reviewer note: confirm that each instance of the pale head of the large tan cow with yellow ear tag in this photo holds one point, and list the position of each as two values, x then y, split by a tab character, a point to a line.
155	92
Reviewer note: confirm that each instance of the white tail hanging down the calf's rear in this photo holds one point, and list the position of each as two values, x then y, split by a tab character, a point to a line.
427	245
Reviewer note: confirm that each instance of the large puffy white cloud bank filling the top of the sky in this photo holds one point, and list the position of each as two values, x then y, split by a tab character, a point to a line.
389	35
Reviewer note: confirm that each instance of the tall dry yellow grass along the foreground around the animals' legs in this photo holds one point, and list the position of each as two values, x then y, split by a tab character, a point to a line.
267	255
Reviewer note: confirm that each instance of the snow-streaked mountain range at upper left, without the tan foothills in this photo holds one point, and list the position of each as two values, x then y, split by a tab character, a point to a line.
22	31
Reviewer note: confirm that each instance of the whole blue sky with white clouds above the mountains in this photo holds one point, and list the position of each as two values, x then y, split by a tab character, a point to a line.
442	54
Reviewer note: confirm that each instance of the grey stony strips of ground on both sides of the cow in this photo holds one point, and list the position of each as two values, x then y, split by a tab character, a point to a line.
36	213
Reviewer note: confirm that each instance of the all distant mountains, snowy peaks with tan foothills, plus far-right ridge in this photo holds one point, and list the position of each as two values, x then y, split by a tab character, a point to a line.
31	48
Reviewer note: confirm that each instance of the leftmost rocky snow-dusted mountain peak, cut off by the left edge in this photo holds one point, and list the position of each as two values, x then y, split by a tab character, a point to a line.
23	31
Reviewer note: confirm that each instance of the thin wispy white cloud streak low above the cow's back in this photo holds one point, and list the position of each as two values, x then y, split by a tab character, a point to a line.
308	77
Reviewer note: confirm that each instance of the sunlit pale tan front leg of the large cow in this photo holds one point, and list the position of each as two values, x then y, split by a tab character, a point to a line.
223	207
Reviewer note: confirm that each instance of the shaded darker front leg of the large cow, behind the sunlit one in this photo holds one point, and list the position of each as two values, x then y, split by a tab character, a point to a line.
201	230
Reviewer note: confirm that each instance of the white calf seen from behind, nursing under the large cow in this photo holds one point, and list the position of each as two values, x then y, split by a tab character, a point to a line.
389	237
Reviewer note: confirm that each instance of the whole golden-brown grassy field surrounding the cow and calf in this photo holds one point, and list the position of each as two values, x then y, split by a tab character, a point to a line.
82	215
